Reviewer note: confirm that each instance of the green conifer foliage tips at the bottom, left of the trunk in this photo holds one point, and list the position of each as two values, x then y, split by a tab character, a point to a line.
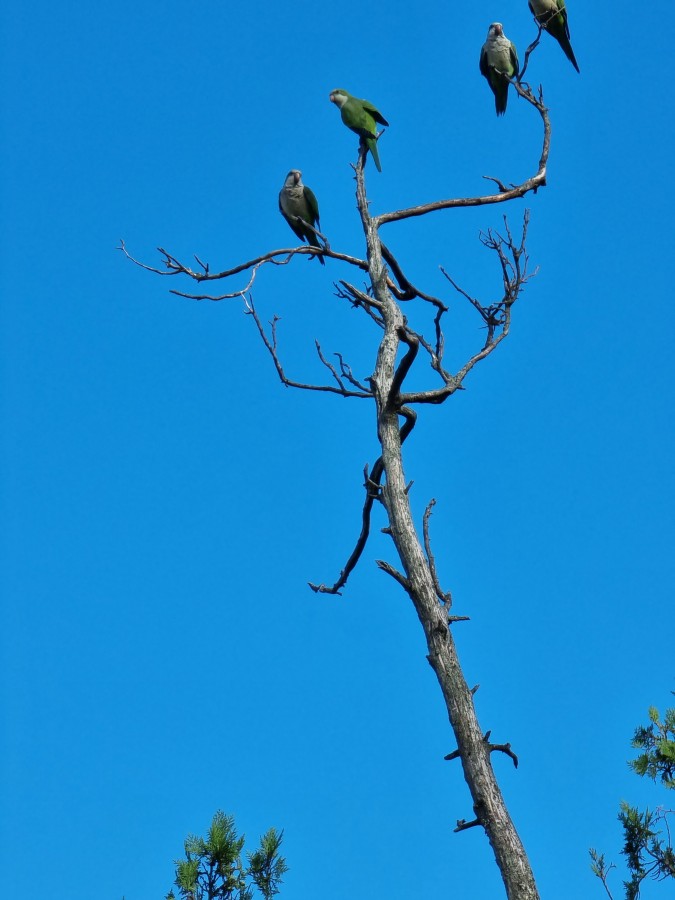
213	867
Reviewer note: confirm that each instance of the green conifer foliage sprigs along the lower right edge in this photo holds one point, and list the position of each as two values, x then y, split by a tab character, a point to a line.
647	843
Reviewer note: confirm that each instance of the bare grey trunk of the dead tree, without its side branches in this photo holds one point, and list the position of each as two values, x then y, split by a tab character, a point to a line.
418	579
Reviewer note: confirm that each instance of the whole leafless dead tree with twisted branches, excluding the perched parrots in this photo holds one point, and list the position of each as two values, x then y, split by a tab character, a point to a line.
384	301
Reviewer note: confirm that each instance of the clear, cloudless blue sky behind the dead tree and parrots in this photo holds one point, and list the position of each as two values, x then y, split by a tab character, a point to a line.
165	500
